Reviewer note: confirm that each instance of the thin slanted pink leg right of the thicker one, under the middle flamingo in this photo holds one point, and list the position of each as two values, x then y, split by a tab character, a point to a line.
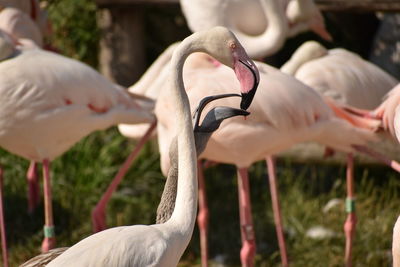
277	210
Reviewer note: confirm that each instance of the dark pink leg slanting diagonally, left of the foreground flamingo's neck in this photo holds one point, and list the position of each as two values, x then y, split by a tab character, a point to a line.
98	213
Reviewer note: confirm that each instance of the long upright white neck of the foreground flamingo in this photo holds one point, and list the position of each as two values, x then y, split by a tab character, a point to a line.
184	215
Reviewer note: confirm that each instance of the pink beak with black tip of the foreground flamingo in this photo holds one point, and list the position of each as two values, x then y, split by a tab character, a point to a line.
249	81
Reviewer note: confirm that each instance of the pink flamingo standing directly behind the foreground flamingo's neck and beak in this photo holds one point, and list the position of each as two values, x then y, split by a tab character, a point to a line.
279	120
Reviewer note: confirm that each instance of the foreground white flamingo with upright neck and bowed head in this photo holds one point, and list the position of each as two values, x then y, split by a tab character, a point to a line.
163	244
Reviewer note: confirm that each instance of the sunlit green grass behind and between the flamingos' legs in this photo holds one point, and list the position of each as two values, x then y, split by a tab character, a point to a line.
81	175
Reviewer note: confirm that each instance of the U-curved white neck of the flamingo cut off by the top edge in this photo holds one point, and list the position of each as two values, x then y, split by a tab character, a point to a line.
272	39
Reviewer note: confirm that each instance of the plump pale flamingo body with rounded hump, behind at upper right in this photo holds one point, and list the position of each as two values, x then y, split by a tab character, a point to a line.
340	74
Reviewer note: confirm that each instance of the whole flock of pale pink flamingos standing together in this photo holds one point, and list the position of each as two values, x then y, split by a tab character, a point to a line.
49	102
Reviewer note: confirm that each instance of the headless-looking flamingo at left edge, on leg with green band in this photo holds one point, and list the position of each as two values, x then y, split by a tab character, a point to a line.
49	102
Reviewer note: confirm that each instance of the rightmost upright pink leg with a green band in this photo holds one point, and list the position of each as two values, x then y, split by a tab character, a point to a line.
350	224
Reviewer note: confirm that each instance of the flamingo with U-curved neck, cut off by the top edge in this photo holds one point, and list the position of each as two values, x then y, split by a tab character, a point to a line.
261	25
